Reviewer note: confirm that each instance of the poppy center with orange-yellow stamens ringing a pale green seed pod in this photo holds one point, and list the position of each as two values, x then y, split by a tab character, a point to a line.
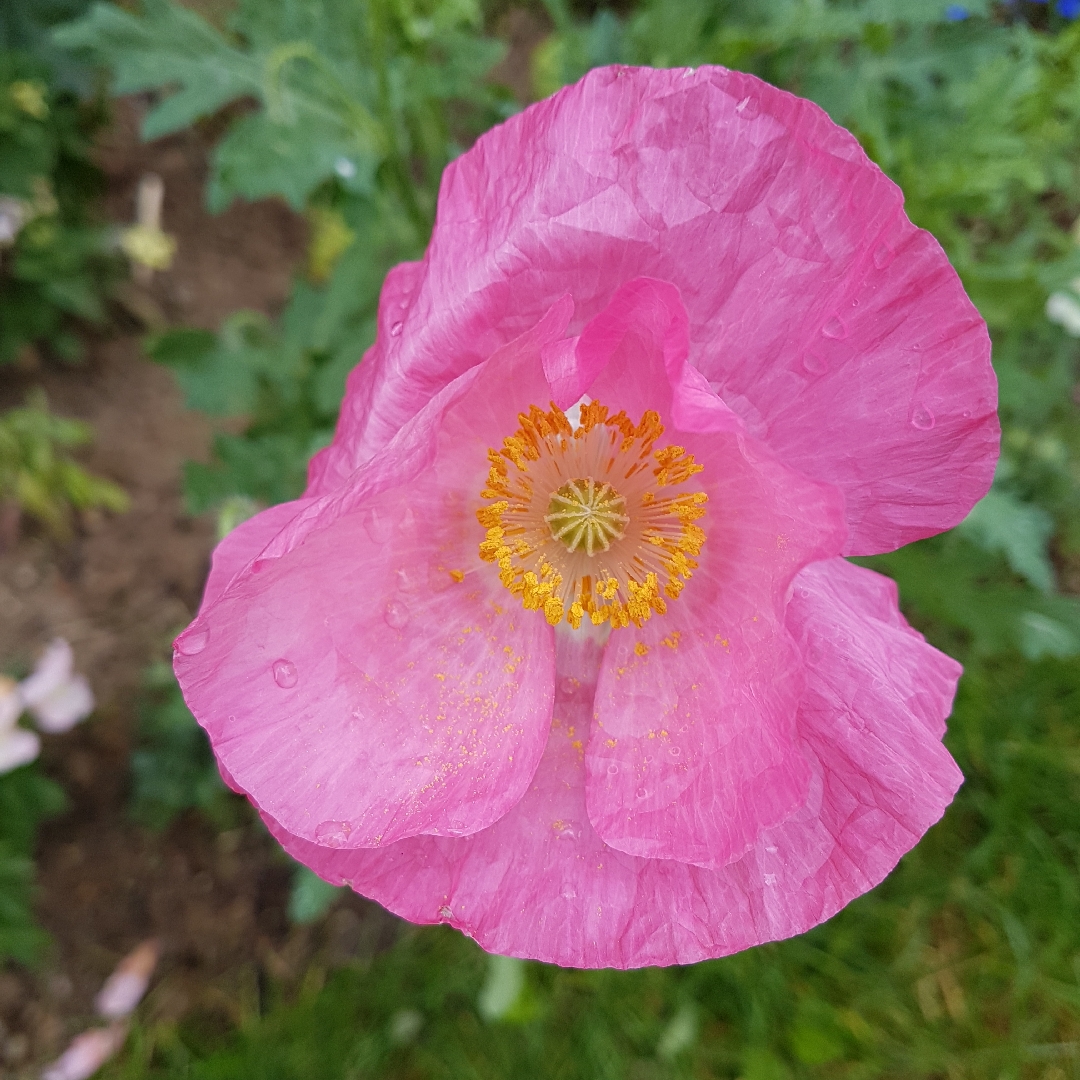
591	521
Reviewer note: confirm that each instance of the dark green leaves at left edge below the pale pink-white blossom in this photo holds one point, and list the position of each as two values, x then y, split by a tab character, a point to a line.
26	800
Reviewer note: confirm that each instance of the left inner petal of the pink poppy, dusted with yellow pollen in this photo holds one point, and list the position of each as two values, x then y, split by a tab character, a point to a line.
364	677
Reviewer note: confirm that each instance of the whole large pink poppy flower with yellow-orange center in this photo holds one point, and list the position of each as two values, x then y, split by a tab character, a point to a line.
558	647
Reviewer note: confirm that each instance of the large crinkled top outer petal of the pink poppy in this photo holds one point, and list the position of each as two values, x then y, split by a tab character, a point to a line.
823	317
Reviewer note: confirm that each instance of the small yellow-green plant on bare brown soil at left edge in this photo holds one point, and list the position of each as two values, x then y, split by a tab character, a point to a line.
43	481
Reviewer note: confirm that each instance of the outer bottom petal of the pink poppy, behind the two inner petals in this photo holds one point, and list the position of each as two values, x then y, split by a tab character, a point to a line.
541	884
